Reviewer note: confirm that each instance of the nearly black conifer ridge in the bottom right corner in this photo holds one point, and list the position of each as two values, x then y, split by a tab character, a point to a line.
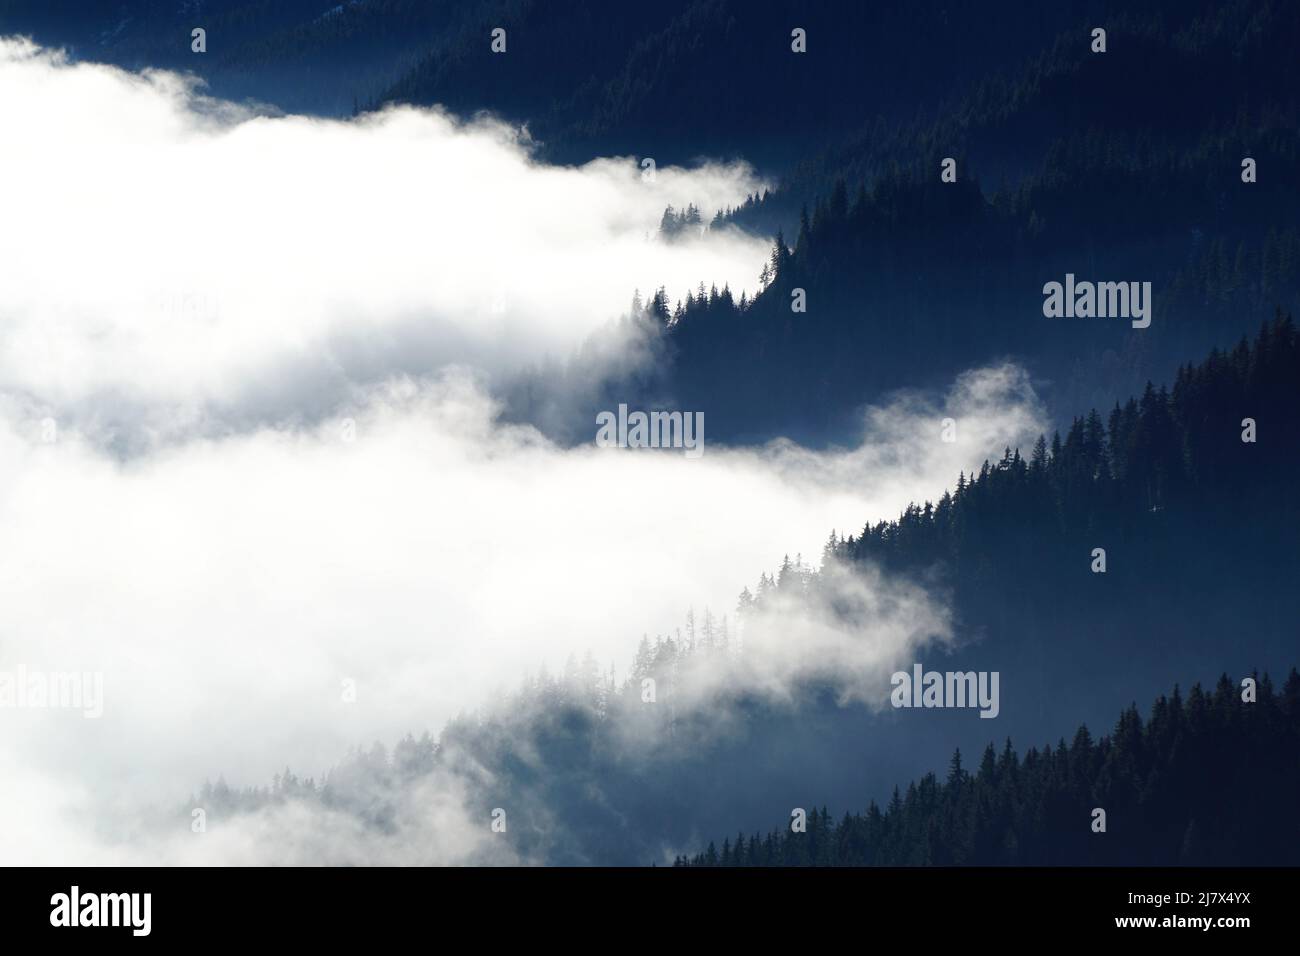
1206	781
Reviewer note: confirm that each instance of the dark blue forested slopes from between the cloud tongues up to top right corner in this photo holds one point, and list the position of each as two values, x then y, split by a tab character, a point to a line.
1125	165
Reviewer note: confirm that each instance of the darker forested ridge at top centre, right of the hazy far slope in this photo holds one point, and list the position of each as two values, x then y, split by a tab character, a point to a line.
621	83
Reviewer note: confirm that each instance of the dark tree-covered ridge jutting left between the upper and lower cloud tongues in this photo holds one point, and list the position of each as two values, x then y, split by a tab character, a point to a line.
913	278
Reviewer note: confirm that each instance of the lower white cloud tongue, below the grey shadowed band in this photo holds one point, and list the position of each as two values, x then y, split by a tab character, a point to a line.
227	587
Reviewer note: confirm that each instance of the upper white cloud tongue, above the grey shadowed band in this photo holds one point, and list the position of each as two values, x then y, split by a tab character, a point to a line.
163	249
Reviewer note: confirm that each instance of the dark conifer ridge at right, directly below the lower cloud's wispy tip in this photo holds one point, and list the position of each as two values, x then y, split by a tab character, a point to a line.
1159	462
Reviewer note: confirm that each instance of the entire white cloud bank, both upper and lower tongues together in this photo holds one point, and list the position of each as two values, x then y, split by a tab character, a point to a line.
250	456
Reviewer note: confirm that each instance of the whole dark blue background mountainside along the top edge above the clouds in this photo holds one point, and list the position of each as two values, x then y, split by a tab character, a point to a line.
675	80
